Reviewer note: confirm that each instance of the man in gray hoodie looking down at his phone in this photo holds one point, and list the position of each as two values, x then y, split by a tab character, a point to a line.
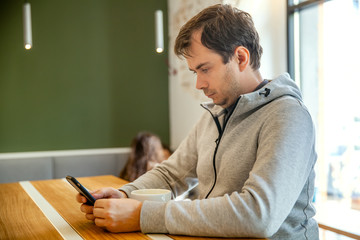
253	150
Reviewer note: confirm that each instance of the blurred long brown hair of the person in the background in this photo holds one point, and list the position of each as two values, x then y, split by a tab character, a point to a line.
146	148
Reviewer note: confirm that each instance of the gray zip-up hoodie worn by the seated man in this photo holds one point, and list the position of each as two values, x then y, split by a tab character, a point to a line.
255	175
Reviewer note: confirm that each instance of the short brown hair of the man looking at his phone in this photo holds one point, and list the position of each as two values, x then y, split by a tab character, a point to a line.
224	28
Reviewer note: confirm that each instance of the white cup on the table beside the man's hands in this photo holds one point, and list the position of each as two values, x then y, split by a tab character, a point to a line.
159	195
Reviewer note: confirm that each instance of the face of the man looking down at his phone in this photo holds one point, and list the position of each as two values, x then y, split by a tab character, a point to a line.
219	81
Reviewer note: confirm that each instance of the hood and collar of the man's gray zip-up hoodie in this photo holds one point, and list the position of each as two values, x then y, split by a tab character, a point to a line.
281	86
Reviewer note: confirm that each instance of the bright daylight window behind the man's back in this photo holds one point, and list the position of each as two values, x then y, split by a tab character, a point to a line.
323	57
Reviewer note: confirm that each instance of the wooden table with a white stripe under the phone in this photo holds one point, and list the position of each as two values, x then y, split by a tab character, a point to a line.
48	210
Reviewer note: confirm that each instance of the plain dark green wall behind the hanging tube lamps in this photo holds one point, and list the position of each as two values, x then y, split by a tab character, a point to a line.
92	79
